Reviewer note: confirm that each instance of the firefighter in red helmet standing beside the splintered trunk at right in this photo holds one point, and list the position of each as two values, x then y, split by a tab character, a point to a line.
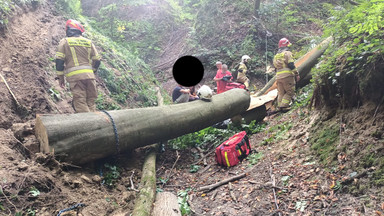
285	75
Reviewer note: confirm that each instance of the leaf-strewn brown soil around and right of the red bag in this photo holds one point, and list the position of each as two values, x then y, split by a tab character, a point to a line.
303	186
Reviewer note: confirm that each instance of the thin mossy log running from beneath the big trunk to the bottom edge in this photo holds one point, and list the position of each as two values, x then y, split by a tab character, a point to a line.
143	204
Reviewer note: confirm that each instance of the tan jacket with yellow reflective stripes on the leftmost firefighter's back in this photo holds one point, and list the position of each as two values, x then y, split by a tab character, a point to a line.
78	54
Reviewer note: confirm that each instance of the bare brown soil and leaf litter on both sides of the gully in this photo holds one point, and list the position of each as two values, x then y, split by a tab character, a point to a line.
36	184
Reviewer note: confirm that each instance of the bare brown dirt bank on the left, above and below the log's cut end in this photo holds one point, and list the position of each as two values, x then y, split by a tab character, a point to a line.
33	183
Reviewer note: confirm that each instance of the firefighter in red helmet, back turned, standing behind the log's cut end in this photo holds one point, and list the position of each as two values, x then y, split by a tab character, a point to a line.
77	59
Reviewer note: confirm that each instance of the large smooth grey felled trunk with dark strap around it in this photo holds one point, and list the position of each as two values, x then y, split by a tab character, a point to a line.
84	137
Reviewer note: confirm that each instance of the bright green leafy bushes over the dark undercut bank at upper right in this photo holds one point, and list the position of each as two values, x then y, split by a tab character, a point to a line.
348	73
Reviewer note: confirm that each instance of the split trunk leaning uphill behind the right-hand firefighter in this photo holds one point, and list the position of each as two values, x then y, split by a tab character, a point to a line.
303	65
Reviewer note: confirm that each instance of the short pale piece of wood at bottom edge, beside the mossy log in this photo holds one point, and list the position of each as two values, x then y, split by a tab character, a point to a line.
166	204
